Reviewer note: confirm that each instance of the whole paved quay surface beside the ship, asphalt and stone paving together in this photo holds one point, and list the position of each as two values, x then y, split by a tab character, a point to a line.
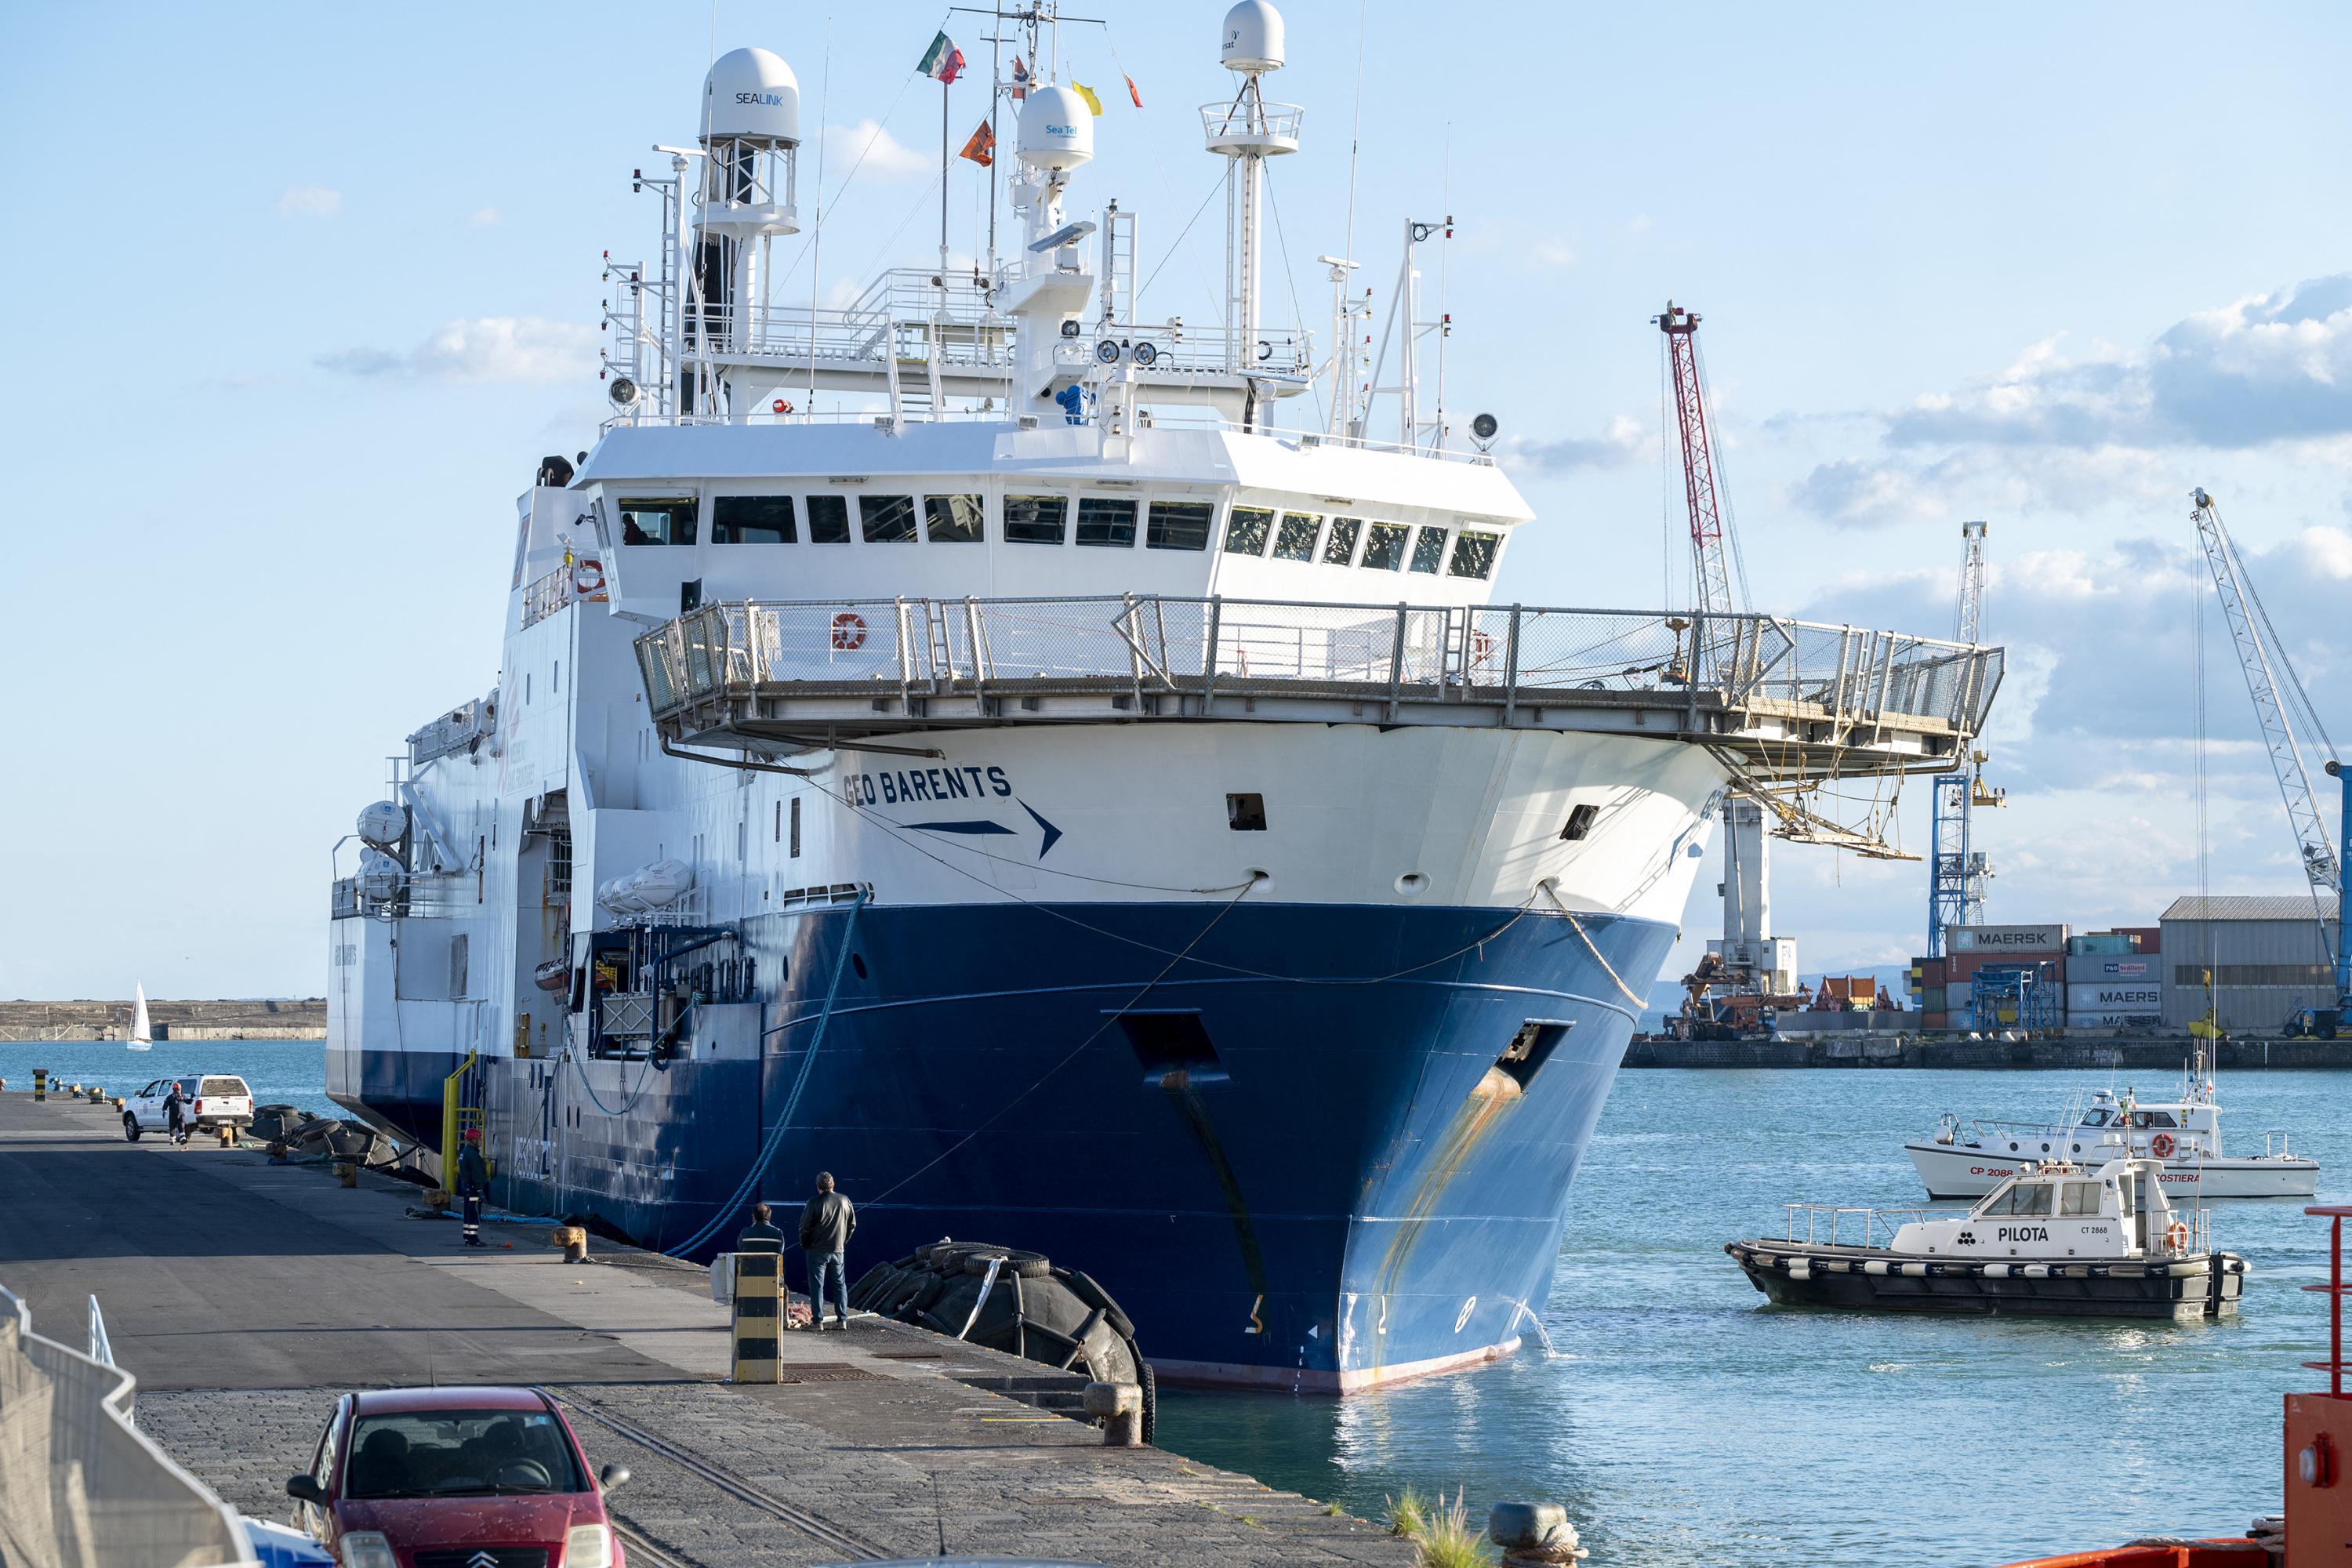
246	1296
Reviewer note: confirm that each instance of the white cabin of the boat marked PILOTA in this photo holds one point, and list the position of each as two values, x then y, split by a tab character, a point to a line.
2062	1212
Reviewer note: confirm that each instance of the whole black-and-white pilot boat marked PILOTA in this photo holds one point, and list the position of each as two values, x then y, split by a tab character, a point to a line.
2050	1240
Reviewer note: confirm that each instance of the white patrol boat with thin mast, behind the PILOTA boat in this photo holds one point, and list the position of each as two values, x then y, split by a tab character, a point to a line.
2184	1134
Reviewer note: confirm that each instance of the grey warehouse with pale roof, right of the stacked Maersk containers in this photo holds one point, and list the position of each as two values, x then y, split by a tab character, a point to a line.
2266	956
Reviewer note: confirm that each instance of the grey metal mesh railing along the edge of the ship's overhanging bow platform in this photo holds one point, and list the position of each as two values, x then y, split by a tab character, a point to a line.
1847	683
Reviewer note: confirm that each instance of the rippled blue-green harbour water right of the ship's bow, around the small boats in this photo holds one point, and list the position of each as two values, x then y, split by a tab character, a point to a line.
1685	1423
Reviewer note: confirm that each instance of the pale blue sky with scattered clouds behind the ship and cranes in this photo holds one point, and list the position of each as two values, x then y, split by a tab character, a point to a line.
305	293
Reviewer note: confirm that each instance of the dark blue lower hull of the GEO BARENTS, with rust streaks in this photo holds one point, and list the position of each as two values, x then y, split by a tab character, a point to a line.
1307	1172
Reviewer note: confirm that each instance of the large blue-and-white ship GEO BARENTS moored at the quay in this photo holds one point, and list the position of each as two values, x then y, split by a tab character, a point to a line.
1005	753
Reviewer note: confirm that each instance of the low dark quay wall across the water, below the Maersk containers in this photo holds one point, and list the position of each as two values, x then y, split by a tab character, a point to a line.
2160	1054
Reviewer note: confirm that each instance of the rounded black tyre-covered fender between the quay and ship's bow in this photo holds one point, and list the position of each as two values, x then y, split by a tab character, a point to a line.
1034	1311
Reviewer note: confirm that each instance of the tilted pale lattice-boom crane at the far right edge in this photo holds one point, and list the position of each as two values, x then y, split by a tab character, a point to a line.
2276	711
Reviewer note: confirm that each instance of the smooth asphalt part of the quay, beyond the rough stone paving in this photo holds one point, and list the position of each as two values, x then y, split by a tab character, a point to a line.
218	1271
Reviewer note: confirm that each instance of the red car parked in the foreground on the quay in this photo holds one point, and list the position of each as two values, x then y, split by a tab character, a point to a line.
455	1480
